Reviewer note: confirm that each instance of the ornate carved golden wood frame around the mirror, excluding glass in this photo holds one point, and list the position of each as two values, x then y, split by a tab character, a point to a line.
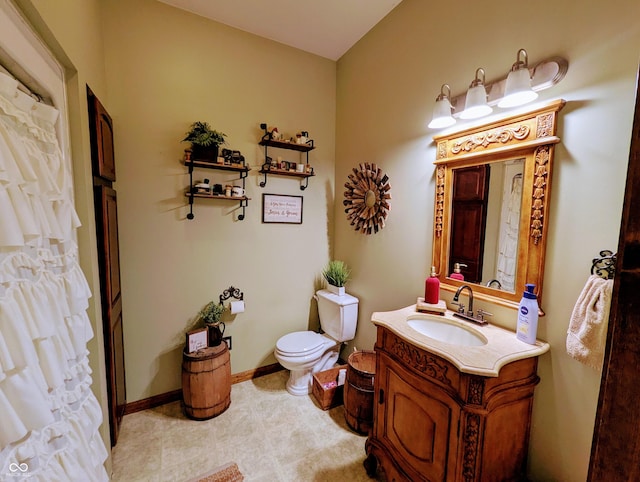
531	137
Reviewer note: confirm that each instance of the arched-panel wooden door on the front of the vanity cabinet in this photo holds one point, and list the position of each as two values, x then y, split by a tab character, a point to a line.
417	422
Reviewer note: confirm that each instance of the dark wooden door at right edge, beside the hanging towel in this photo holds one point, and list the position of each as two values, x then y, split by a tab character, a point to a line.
615	452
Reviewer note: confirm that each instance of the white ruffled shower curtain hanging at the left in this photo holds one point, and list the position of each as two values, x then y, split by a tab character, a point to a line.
49	417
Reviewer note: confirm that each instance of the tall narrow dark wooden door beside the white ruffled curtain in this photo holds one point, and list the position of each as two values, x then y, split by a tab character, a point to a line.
102	153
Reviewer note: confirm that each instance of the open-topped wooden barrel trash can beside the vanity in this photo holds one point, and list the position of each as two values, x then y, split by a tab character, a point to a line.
358	390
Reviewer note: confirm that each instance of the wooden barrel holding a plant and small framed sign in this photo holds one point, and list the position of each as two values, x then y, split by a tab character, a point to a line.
206	382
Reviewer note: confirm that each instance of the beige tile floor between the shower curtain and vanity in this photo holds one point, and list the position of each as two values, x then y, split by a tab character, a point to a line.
271	435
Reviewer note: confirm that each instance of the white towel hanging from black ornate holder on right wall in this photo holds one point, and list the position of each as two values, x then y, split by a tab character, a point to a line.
587	334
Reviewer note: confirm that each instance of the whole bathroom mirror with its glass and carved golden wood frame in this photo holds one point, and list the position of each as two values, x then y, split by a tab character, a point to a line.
492	203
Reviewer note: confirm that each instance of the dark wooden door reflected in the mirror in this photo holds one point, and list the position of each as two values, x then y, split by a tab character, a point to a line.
468	220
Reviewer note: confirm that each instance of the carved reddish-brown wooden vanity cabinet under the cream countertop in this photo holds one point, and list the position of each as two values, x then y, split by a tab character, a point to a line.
435	423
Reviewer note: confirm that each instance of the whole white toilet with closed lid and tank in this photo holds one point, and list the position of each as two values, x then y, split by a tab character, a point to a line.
307	352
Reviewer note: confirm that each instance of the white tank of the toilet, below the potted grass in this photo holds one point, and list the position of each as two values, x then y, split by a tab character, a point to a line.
338	315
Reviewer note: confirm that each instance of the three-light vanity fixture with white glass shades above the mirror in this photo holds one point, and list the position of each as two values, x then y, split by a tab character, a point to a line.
517	88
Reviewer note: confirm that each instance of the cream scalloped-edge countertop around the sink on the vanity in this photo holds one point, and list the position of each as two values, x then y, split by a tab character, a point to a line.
502	346
